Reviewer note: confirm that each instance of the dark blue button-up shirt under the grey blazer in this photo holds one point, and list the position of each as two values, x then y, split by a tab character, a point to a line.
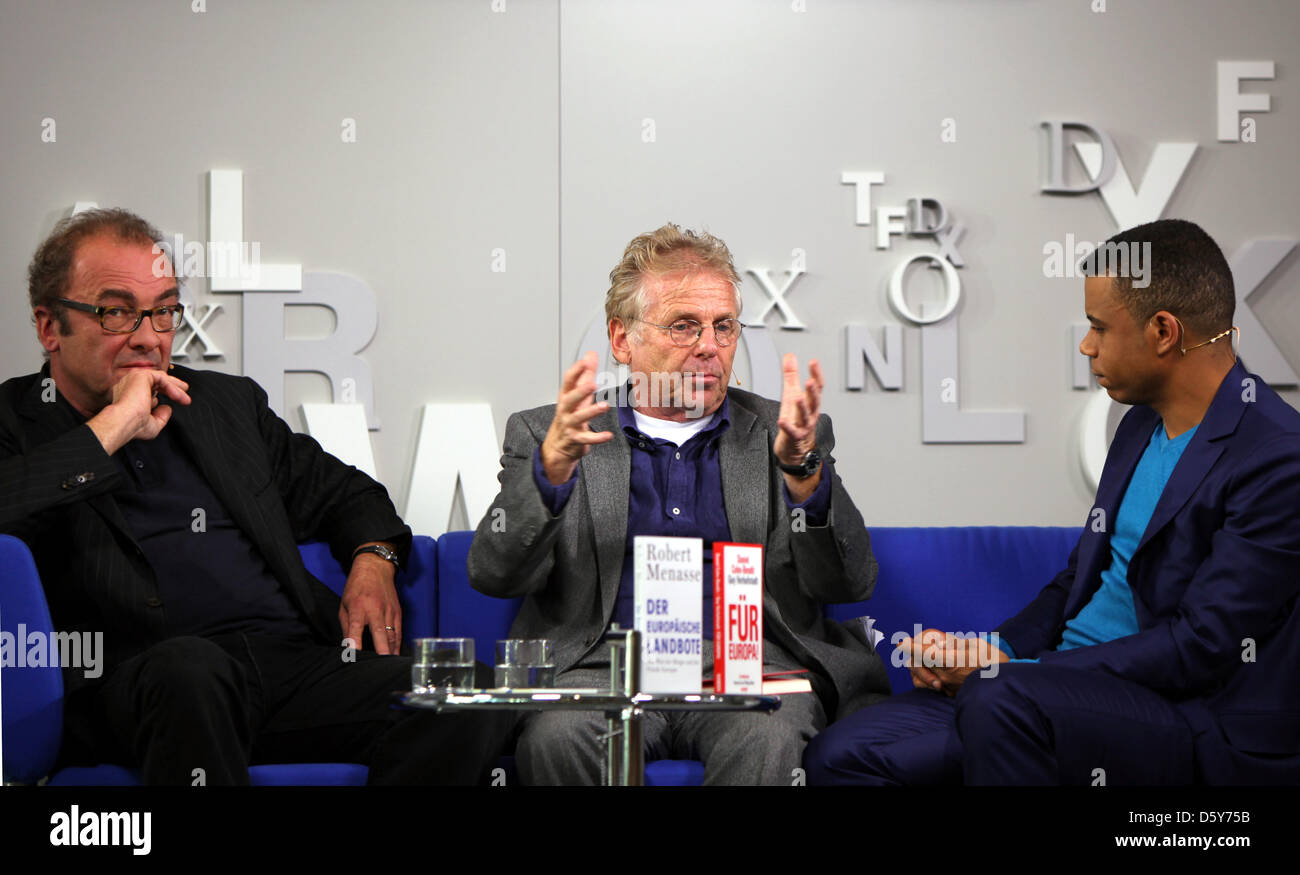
674	492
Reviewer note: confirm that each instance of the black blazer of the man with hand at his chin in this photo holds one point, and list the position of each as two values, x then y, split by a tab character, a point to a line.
57	493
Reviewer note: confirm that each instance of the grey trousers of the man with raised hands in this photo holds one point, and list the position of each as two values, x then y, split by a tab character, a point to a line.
565	748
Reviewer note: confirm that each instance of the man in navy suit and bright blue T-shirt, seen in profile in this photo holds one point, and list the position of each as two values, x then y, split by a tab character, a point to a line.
1168	652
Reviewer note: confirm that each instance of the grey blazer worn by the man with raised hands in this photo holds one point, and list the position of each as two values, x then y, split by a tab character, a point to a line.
569	566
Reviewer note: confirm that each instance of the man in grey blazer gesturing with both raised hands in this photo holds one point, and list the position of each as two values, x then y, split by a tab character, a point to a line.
684	457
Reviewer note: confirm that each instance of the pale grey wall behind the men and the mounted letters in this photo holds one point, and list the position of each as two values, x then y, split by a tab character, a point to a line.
482	164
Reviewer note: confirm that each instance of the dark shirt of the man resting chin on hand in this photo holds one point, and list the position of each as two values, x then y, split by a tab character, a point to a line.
211	578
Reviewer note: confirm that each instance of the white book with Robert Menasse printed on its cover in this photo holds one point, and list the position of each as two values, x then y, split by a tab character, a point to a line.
669	592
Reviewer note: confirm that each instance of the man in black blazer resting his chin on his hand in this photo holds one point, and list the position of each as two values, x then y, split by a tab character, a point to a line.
163	509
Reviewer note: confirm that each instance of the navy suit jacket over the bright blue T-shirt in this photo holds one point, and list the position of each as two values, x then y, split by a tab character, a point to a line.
1215	582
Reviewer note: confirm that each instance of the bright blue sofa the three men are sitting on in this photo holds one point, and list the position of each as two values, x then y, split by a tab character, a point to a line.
959	579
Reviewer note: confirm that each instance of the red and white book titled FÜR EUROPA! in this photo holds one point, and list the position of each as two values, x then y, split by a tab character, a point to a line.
738	618
